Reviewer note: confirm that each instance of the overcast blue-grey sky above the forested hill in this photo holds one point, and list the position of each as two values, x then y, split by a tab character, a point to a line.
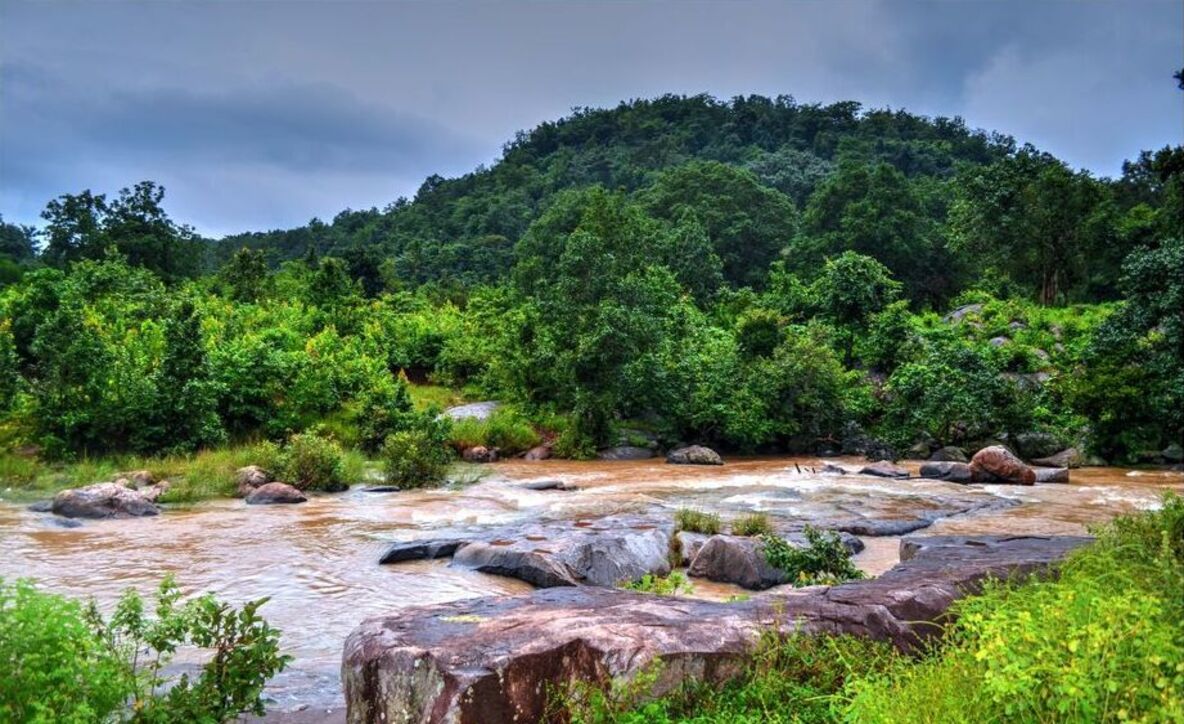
261	114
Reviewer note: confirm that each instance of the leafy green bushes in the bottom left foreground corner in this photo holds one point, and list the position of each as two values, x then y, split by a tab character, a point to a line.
66	663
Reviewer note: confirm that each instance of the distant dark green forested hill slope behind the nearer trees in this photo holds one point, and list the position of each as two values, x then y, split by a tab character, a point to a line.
777	153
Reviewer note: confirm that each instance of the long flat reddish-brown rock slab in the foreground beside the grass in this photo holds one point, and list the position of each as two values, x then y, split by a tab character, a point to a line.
500	659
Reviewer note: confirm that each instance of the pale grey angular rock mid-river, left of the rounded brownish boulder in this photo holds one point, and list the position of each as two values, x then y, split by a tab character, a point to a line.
606	553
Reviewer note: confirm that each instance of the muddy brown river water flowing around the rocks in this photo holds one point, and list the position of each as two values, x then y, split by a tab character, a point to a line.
319	561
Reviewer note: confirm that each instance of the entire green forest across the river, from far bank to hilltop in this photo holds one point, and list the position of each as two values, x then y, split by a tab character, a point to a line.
755	274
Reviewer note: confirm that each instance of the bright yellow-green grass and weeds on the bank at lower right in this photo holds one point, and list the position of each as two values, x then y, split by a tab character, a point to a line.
1102	643
